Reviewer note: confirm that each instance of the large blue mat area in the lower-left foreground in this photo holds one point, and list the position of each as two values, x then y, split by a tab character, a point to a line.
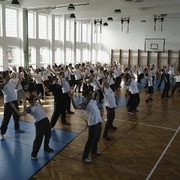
15	151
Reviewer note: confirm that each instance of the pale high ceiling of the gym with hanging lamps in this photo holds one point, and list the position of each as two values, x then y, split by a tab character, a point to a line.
135	9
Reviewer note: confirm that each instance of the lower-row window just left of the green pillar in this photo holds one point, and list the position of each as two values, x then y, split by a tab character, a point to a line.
13	55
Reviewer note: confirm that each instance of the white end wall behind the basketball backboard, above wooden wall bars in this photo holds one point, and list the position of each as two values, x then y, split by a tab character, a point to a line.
114	38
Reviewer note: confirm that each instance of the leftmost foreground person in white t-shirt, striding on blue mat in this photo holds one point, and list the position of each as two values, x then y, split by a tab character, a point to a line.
10	96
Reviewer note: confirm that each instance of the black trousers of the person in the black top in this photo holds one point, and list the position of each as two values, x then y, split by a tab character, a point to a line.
56	113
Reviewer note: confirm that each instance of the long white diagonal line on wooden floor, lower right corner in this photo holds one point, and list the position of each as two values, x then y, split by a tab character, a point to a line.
160	158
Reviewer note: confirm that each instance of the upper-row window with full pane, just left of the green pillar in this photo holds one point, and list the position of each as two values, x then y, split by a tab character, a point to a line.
11	22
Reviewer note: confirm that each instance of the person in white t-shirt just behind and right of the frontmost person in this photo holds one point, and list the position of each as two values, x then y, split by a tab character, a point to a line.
110	104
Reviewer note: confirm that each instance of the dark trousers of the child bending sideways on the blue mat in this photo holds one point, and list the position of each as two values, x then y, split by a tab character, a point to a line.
43	129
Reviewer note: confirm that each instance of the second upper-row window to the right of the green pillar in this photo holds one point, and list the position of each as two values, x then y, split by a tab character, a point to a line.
43	26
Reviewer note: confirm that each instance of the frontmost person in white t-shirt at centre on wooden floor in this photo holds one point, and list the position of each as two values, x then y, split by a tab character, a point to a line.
94	123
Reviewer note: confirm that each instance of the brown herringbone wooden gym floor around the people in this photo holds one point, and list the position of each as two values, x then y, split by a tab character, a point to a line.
145	145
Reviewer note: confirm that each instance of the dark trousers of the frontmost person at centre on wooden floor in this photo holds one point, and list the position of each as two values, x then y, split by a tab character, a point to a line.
93	139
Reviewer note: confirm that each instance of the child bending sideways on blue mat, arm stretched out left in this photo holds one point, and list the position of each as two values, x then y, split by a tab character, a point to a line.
42	125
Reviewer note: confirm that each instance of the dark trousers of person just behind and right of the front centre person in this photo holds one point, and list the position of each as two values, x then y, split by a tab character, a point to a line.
110	119
